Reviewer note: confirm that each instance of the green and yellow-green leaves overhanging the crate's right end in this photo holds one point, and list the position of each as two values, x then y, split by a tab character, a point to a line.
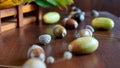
54	3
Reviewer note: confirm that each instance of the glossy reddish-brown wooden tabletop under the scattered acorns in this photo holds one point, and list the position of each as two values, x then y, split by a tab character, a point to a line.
14	45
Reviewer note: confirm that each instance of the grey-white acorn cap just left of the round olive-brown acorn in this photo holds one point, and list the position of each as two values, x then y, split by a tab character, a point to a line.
45	39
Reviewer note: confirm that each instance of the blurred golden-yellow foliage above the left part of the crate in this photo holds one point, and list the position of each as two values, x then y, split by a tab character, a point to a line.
11	3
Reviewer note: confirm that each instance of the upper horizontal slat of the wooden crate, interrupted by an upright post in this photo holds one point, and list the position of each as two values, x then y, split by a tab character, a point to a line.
12	11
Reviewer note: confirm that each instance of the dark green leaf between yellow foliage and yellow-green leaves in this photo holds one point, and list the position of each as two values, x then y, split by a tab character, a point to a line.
43	3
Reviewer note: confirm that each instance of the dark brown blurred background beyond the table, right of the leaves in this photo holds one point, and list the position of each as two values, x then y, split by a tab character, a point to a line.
100	5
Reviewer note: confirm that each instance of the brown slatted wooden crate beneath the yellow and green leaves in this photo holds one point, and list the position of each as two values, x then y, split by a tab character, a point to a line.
21	20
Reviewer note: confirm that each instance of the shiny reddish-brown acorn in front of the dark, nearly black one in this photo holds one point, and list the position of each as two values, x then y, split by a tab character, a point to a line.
70	23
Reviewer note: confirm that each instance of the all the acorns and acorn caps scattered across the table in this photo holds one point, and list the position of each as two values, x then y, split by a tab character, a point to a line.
85	43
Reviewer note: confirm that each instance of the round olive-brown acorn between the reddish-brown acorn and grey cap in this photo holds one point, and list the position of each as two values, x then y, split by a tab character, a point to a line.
59	31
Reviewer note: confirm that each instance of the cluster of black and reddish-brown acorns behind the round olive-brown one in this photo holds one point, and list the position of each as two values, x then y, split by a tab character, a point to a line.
74	18
